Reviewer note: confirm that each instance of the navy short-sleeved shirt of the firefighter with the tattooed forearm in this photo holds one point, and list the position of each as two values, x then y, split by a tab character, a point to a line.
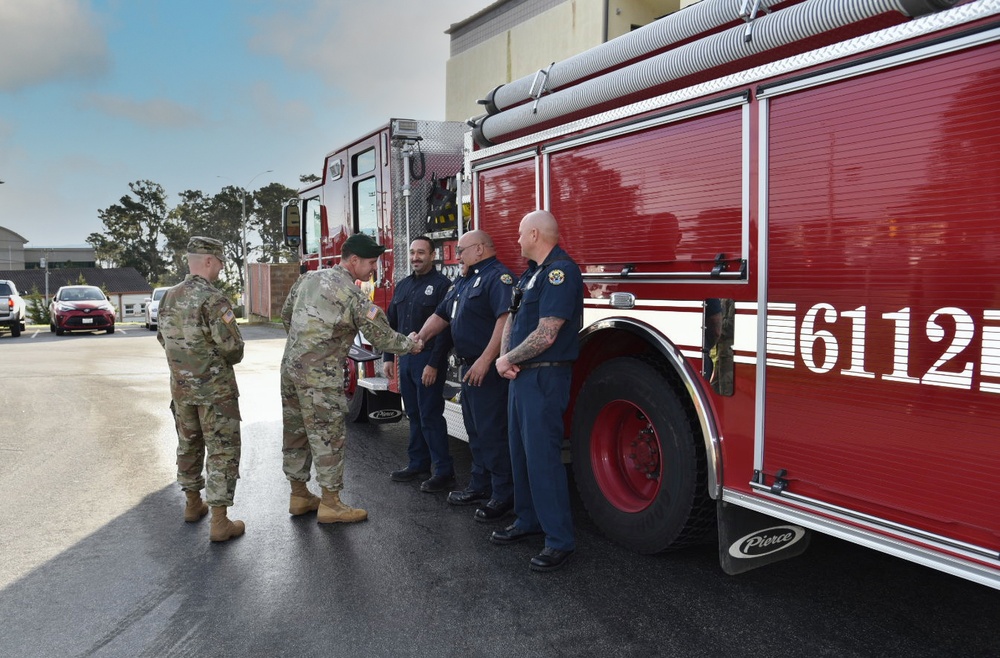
553	289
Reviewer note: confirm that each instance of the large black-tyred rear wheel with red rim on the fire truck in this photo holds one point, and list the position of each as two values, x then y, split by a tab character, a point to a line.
638	460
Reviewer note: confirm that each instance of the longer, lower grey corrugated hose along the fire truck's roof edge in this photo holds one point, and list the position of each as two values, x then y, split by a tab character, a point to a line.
772	31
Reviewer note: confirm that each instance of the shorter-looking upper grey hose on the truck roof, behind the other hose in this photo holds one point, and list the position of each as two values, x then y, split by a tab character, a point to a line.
699	18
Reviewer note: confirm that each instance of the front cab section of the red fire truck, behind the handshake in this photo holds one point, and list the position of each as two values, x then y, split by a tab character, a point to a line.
393	183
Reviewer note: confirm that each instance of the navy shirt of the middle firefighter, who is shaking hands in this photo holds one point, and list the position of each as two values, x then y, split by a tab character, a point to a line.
474	303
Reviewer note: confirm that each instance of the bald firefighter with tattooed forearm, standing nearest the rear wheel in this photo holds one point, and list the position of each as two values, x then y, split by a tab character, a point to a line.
539	347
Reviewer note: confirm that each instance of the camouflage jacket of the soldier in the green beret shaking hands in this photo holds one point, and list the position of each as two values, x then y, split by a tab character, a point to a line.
322	315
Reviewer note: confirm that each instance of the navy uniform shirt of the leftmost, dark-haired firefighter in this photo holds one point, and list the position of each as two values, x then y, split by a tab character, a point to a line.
412	303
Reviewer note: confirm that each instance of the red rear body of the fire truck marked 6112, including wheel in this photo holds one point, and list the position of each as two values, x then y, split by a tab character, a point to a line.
787	228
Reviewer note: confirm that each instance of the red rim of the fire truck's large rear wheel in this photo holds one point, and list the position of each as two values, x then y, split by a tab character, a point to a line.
625	456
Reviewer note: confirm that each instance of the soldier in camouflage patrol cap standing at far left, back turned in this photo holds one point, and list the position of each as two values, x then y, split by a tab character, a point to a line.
197	328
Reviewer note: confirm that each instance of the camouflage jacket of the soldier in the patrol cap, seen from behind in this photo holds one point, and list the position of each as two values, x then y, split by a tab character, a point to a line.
197	328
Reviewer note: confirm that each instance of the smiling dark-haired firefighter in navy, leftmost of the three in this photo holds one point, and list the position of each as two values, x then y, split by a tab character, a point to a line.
422	376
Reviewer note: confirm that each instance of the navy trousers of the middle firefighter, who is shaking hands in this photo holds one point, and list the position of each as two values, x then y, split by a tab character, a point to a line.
484	412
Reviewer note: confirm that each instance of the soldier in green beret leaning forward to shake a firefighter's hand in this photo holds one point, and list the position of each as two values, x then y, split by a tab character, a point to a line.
323	313
